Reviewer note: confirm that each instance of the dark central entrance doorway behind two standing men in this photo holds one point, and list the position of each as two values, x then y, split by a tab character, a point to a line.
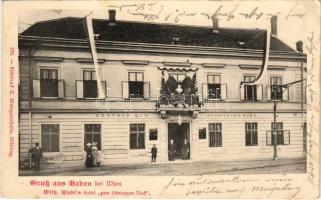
178	133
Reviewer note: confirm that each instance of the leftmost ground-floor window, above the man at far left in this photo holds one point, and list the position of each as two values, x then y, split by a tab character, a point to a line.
50	137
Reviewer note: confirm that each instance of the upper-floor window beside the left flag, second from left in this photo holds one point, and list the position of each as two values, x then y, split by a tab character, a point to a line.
90	84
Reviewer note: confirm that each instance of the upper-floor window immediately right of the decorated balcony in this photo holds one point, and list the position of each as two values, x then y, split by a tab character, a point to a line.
214	86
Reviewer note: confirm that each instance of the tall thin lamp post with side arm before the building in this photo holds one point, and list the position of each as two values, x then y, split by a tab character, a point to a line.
275	139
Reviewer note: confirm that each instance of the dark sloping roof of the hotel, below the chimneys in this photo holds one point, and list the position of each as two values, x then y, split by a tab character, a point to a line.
125	31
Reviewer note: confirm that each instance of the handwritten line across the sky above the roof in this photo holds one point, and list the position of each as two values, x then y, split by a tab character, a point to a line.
157	11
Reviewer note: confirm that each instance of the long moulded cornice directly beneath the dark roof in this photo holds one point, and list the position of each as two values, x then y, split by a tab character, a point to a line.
129	47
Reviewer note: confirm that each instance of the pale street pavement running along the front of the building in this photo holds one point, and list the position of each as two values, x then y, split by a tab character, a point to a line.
179	168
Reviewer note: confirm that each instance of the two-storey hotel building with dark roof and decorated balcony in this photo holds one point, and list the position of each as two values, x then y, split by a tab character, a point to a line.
162	83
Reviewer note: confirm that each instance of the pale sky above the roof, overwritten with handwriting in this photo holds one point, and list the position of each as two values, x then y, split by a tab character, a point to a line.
233	14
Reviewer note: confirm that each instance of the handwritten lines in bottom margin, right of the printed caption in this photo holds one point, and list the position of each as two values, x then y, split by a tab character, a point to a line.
233	187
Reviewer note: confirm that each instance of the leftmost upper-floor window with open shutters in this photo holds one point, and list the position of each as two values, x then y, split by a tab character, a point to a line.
49	82
